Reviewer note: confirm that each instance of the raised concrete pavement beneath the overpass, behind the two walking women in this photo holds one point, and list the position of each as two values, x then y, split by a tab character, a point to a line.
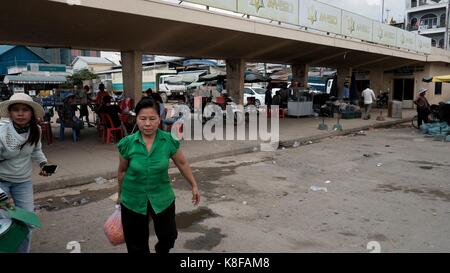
80	163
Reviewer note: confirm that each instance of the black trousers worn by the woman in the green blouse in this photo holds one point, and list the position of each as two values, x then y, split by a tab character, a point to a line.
136	229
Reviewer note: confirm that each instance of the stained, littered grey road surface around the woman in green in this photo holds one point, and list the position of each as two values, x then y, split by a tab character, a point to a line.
389	186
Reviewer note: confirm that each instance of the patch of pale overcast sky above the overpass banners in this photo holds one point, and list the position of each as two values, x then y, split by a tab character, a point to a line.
372	8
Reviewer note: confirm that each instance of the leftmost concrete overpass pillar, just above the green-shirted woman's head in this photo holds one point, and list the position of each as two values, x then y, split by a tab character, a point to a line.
132	74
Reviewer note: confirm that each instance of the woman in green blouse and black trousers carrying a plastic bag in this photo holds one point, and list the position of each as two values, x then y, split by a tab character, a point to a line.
144	186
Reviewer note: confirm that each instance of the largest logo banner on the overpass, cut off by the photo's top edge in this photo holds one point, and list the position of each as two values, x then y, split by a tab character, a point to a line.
278	10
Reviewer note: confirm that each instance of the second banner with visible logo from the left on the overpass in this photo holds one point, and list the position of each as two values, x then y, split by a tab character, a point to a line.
320	16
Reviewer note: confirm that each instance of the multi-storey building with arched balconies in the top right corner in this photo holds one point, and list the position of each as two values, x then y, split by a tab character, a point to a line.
430	19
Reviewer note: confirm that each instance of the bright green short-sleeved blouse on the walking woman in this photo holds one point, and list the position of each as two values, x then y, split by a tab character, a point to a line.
147	178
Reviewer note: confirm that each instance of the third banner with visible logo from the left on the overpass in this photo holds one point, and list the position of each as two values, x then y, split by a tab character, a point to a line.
357	26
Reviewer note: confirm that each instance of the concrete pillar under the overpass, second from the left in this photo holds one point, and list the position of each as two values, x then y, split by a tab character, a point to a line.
235	79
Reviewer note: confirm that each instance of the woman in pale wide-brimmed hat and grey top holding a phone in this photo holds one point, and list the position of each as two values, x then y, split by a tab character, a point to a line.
20	142
